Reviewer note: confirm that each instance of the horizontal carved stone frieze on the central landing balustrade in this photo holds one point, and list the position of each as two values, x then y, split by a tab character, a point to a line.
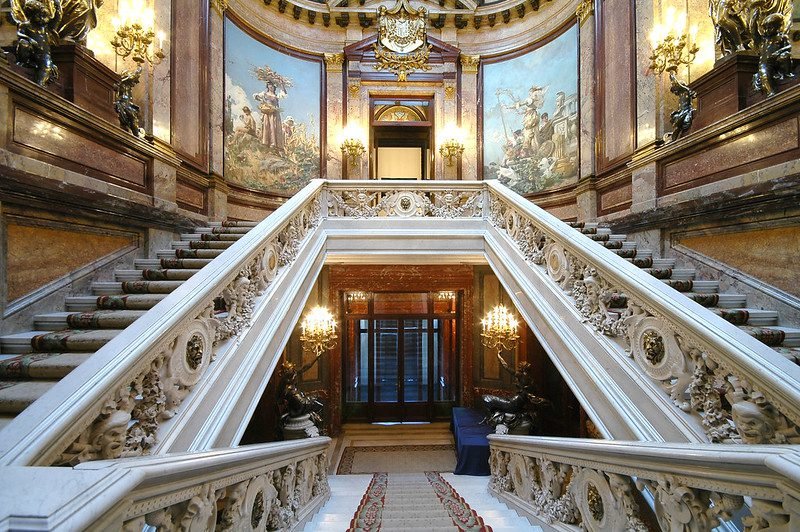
404	204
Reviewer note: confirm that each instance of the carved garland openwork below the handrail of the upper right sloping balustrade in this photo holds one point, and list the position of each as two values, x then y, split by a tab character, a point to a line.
730	408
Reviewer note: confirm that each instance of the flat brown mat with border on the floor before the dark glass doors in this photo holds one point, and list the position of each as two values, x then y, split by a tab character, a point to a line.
397	459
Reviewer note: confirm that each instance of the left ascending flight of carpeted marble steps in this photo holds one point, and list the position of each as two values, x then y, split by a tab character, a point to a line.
31	362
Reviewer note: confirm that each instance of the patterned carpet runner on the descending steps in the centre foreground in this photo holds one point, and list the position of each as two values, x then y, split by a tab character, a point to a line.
414	501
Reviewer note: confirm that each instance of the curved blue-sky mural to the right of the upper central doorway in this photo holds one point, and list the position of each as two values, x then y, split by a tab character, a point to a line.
530	117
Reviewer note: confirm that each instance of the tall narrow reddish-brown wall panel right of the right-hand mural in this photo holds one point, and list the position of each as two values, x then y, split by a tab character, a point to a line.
616	93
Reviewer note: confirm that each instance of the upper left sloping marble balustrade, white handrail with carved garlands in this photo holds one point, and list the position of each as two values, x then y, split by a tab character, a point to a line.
112	405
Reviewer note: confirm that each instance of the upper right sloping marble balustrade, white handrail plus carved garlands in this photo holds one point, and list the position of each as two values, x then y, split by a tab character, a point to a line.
683	346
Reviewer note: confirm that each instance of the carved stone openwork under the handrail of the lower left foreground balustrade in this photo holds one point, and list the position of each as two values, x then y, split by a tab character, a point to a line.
268	499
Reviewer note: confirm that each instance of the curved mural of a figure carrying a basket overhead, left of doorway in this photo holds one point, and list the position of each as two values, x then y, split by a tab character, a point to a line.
272	116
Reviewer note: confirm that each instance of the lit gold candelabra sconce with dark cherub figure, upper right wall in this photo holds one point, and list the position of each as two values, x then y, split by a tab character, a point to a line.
672	47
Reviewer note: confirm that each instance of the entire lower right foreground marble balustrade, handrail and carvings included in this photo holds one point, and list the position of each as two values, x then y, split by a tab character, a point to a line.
595	485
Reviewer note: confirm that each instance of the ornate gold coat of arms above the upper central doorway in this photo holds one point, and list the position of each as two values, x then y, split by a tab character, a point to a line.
402	40
